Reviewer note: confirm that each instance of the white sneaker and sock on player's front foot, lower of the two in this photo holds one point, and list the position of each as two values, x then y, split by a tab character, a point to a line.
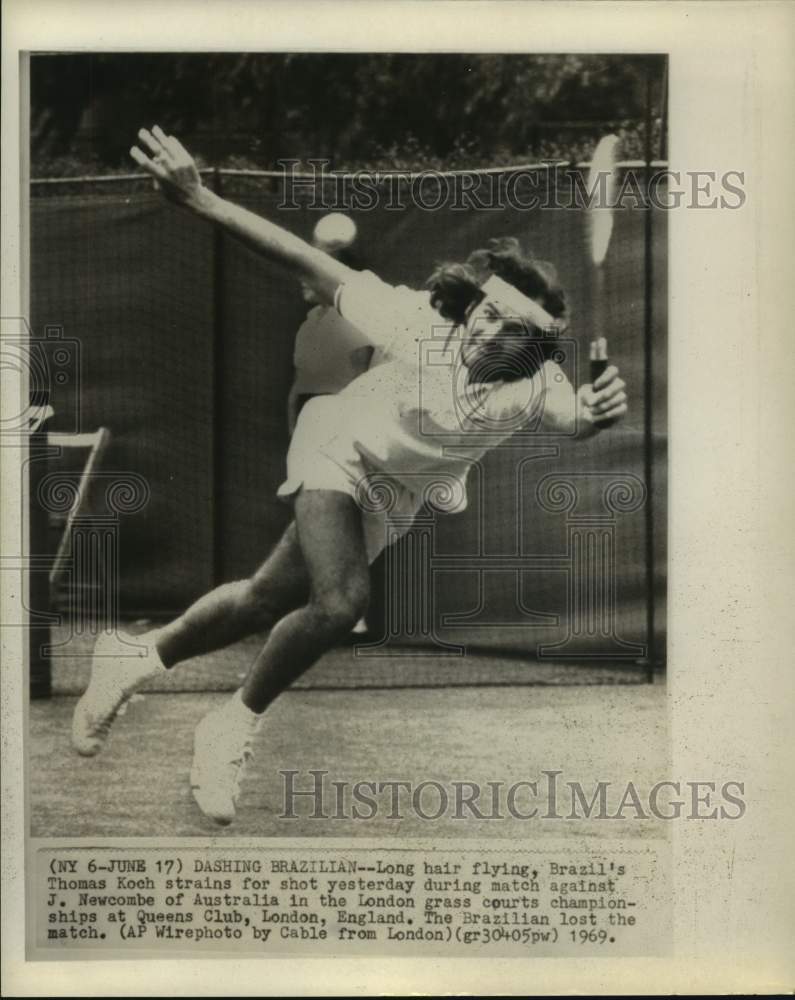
221	749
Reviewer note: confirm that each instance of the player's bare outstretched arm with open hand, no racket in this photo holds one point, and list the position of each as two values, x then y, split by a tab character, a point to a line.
175	173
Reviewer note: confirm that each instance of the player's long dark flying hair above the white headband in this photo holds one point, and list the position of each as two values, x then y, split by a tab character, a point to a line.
455	288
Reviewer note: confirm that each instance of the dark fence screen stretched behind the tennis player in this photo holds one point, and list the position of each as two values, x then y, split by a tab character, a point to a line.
183	348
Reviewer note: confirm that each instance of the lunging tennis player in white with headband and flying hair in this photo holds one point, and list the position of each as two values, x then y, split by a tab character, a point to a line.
421	417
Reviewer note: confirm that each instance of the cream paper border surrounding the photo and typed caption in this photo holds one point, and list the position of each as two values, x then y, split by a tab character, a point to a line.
730	675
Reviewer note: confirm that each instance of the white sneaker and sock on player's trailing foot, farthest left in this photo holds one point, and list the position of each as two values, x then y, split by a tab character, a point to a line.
118	668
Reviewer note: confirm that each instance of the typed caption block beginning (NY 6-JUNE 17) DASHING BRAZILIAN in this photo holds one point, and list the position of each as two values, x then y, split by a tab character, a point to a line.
513	902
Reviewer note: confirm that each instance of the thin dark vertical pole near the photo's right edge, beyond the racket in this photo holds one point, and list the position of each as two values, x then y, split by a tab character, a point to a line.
648	389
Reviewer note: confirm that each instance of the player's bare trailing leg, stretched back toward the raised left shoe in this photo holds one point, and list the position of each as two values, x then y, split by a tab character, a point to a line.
236	610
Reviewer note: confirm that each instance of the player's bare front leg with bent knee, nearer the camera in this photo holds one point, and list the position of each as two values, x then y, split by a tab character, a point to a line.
332	540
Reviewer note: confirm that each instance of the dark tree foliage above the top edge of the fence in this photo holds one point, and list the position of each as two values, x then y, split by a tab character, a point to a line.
353	109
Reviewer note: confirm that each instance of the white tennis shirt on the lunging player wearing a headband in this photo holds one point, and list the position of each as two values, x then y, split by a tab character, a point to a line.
414	415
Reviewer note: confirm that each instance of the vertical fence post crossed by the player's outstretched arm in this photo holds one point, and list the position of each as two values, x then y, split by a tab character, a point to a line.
218	390
